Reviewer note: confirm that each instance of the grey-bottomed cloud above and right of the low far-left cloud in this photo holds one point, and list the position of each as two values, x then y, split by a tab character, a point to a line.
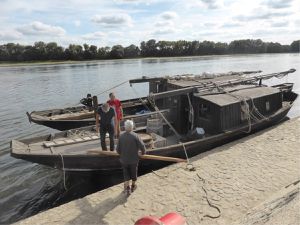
112	20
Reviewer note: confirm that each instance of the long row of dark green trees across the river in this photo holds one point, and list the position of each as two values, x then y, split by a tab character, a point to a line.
41	51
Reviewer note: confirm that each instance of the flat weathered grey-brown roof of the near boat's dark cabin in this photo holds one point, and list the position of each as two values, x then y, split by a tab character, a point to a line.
246	92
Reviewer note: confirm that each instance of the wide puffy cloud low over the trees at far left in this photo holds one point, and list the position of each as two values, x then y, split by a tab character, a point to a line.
39	28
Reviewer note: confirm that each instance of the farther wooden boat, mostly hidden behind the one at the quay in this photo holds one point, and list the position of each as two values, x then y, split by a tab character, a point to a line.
80	116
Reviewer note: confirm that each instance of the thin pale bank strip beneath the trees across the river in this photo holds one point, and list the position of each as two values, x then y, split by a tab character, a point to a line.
58	62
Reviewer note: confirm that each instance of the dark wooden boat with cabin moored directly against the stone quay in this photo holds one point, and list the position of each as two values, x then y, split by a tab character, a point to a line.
199	119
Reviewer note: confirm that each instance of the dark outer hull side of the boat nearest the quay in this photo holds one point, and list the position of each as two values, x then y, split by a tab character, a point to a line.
109	164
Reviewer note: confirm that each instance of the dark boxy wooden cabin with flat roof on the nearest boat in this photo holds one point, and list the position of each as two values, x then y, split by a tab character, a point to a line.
217	113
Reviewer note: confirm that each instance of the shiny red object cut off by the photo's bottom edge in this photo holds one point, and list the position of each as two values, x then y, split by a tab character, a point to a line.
168	219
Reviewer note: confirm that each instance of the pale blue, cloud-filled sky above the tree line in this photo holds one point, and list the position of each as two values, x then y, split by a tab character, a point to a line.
125	22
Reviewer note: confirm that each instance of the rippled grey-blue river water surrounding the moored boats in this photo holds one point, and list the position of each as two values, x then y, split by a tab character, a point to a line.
27	188
